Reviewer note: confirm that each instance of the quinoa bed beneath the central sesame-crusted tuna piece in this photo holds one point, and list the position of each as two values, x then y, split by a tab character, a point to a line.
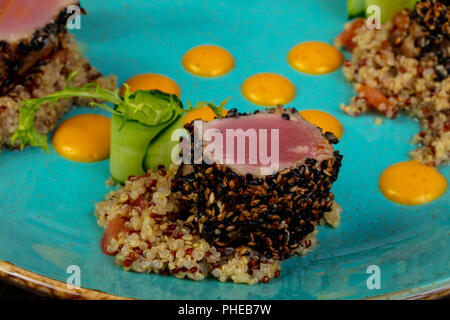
144	234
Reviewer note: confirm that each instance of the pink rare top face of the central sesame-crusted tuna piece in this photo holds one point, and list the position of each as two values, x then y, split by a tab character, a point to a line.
287	142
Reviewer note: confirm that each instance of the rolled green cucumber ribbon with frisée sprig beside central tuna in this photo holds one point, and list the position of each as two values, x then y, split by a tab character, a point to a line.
141	126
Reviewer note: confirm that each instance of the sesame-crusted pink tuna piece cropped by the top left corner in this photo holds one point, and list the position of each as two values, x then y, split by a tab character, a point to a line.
30	31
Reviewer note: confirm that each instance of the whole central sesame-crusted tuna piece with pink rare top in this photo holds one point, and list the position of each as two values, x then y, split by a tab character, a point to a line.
271	211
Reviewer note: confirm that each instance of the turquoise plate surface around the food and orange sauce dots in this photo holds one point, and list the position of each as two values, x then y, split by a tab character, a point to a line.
47	202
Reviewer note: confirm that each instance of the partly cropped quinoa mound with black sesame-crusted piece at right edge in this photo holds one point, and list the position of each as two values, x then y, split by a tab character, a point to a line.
412	79
